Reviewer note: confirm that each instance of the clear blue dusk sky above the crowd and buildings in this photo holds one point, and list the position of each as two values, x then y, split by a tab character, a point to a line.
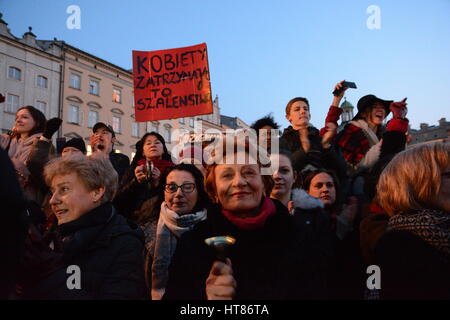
263	53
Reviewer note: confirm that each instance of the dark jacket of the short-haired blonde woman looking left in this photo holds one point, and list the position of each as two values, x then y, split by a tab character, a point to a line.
109	253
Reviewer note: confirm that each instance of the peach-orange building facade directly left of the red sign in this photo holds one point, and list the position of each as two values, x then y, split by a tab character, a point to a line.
94	90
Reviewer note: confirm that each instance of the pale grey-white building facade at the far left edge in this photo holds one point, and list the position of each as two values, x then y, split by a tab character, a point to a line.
30	74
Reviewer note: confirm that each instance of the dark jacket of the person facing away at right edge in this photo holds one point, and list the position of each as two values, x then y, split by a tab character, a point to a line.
411	268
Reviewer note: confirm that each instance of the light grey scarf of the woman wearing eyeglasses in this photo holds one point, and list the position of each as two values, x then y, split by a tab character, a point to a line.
170	228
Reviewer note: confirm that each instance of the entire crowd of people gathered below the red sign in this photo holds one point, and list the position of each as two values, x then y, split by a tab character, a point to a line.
213	225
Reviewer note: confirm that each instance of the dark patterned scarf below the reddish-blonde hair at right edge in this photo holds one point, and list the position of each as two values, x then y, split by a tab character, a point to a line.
433	226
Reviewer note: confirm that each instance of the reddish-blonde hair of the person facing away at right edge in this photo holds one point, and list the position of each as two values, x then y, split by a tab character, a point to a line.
412	180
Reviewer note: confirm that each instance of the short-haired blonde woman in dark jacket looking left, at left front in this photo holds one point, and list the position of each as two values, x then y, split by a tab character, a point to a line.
106	250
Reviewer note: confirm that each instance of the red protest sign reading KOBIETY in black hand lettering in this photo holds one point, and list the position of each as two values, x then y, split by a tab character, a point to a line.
172	83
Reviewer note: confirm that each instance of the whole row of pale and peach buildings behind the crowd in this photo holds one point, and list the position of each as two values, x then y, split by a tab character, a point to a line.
82	89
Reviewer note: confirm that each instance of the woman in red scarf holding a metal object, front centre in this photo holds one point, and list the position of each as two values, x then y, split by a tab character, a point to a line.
268	259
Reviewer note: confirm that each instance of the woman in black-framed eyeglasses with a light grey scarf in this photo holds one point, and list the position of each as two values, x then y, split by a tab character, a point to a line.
183	203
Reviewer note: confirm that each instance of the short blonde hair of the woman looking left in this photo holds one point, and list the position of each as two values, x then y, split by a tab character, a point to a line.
94	171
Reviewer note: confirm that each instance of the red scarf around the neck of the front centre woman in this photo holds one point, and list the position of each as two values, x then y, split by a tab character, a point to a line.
252	223
